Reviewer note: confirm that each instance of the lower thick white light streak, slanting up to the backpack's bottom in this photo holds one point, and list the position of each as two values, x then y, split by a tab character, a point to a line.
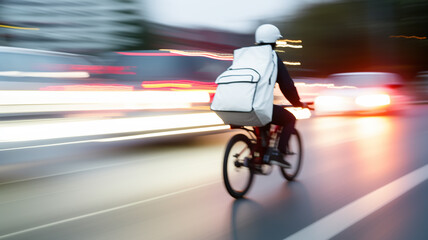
79	128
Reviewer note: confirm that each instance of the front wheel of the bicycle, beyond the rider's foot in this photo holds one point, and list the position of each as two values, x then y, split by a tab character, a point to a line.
294	156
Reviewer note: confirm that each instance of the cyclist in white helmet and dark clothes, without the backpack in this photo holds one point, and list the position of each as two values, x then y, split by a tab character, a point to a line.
268	34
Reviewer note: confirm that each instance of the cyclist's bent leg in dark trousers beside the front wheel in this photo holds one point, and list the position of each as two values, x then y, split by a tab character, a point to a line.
287	120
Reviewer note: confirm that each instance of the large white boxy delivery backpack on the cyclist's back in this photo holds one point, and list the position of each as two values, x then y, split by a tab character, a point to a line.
244	94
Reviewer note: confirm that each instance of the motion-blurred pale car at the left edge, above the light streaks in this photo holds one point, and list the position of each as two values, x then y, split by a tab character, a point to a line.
31	69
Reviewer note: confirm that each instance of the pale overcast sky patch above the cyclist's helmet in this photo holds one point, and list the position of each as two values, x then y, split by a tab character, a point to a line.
231	15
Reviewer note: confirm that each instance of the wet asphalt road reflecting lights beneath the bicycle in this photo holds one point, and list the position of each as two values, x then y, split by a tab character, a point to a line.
362	178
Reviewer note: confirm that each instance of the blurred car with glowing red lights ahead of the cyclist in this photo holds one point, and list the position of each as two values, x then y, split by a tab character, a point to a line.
361	93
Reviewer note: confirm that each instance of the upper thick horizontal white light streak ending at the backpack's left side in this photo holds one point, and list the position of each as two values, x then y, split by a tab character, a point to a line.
50	101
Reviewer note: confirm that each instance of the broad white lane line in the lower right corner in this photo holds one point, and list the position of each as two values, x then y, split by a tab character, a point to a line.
336	222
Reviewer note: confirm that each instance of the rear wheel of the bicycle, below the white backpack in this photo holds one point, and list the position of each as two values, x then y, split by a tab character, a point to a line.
237	174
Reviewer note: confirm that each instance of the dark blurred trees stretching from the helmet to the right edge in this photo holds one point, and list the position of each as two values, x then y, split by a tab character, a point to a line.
358	35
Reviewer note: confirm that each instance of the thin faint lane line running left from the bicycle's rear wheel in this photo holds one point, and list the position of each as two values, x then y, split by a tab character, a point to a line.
106	210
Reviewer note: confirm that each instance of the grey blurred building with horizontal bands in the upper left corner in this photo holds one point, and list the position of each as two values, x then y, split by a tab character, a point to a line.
79	26
